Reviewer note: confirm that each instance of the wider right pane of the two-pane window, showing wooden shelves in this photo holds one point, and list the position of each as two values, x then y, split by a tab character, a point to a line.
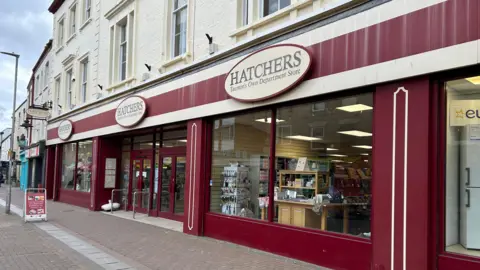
323	164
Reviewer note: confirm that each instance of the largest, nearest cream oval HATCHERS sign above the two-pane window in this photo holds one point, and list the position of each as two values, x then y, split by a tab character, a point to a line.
268	72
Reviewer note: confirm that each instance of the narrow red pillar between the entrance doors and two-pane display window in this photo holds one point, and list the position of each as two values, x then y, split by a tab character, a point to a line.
195	177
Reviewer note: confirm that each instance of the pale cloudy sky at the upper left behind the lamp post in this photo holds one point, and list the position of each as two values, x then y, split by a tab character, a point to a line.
25	28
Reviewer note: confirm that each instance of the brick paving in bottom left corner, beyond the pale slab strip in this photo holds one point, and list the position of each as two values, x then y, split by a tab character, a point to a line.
24	246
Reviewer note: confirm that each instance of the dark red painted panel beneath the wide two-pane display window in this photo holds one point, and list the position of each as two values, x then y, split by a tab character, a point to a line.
333	251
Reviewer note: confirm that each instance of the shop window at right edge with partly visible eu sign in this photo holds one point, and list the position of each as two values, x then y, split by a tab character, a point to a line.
462	178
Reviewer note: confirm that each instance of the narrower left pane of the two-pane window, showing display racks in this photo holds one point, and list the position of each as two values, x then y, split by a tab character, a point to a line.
240	150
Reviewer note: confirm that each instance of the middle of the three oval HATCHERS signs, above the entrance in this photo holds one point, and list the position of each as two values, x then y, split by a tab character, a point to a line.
131	111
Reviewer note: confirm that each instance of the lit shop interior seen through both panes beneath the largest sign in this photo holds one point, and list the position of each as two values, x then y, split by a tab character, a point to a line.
323	155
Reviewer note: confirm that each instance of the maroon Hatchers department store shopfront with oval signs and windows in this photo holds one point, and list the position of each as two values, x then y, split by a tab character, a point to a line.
309	156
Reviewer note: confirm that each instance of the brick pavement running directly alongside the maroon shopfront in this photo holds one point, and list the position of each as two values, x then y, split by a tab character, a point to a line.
157	248
